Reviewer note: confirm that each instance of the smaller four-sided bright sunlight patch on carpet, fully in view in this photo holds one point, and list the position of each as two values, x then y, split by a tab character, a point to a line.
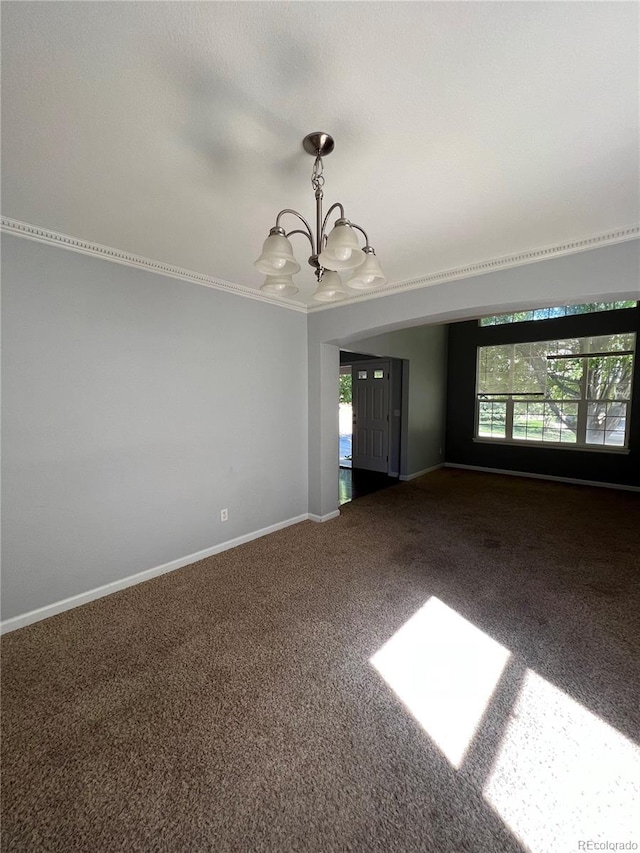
445	670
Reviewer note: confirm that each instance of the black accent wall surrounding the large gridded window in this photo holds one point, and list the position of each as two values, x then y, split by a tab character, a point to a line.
465	338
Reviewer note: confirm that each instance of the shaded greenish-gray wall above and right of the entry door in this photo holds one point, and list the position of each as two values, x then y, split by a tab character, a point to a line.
425	348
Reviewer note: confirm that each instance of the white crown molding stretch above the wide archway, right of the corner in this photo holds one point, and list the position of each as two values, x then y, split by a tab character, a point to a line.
619	235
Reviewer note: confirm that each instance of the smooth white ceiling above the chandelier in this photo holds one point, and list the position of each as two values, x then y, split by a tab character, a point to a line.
464	131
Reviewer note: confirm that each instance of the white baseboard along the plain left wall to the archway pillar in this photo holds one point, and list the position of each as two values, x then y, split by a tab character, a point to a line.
99	592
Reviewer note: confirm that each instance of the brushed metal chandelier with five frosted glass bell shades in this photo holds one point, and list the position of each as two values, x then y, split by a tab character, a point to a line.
330	255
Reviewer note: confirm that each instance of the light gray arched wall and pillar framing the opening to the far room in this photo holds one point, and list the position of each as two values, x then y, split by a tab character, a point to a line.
607	273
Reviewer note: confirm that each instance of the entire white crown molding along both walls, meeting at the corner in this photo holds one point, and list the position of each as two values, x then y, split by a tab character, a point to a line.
44	235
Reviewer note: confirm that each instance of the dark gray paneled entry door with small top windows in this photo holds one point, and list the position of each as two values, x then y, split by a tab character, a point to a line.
370	386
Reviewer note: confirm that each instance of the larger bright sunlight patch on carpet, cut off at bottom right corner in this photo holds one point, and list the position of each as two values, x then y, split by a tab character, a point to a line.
562	775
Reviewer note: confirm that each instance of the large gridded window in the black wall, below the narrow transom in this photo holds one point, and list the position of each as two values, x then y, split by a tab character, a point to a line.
570	392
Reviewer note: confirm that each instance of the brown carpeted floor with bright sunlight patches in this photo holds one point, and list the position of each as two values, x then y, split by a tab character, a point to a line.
232	705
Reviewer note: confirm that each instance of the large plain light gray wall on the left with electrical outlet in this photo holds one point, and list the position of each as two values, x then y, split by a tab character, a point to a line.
135	408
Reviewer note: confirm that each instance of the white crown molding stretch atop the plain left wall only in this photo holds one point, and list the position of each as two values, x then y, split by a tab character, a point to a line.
84	247
